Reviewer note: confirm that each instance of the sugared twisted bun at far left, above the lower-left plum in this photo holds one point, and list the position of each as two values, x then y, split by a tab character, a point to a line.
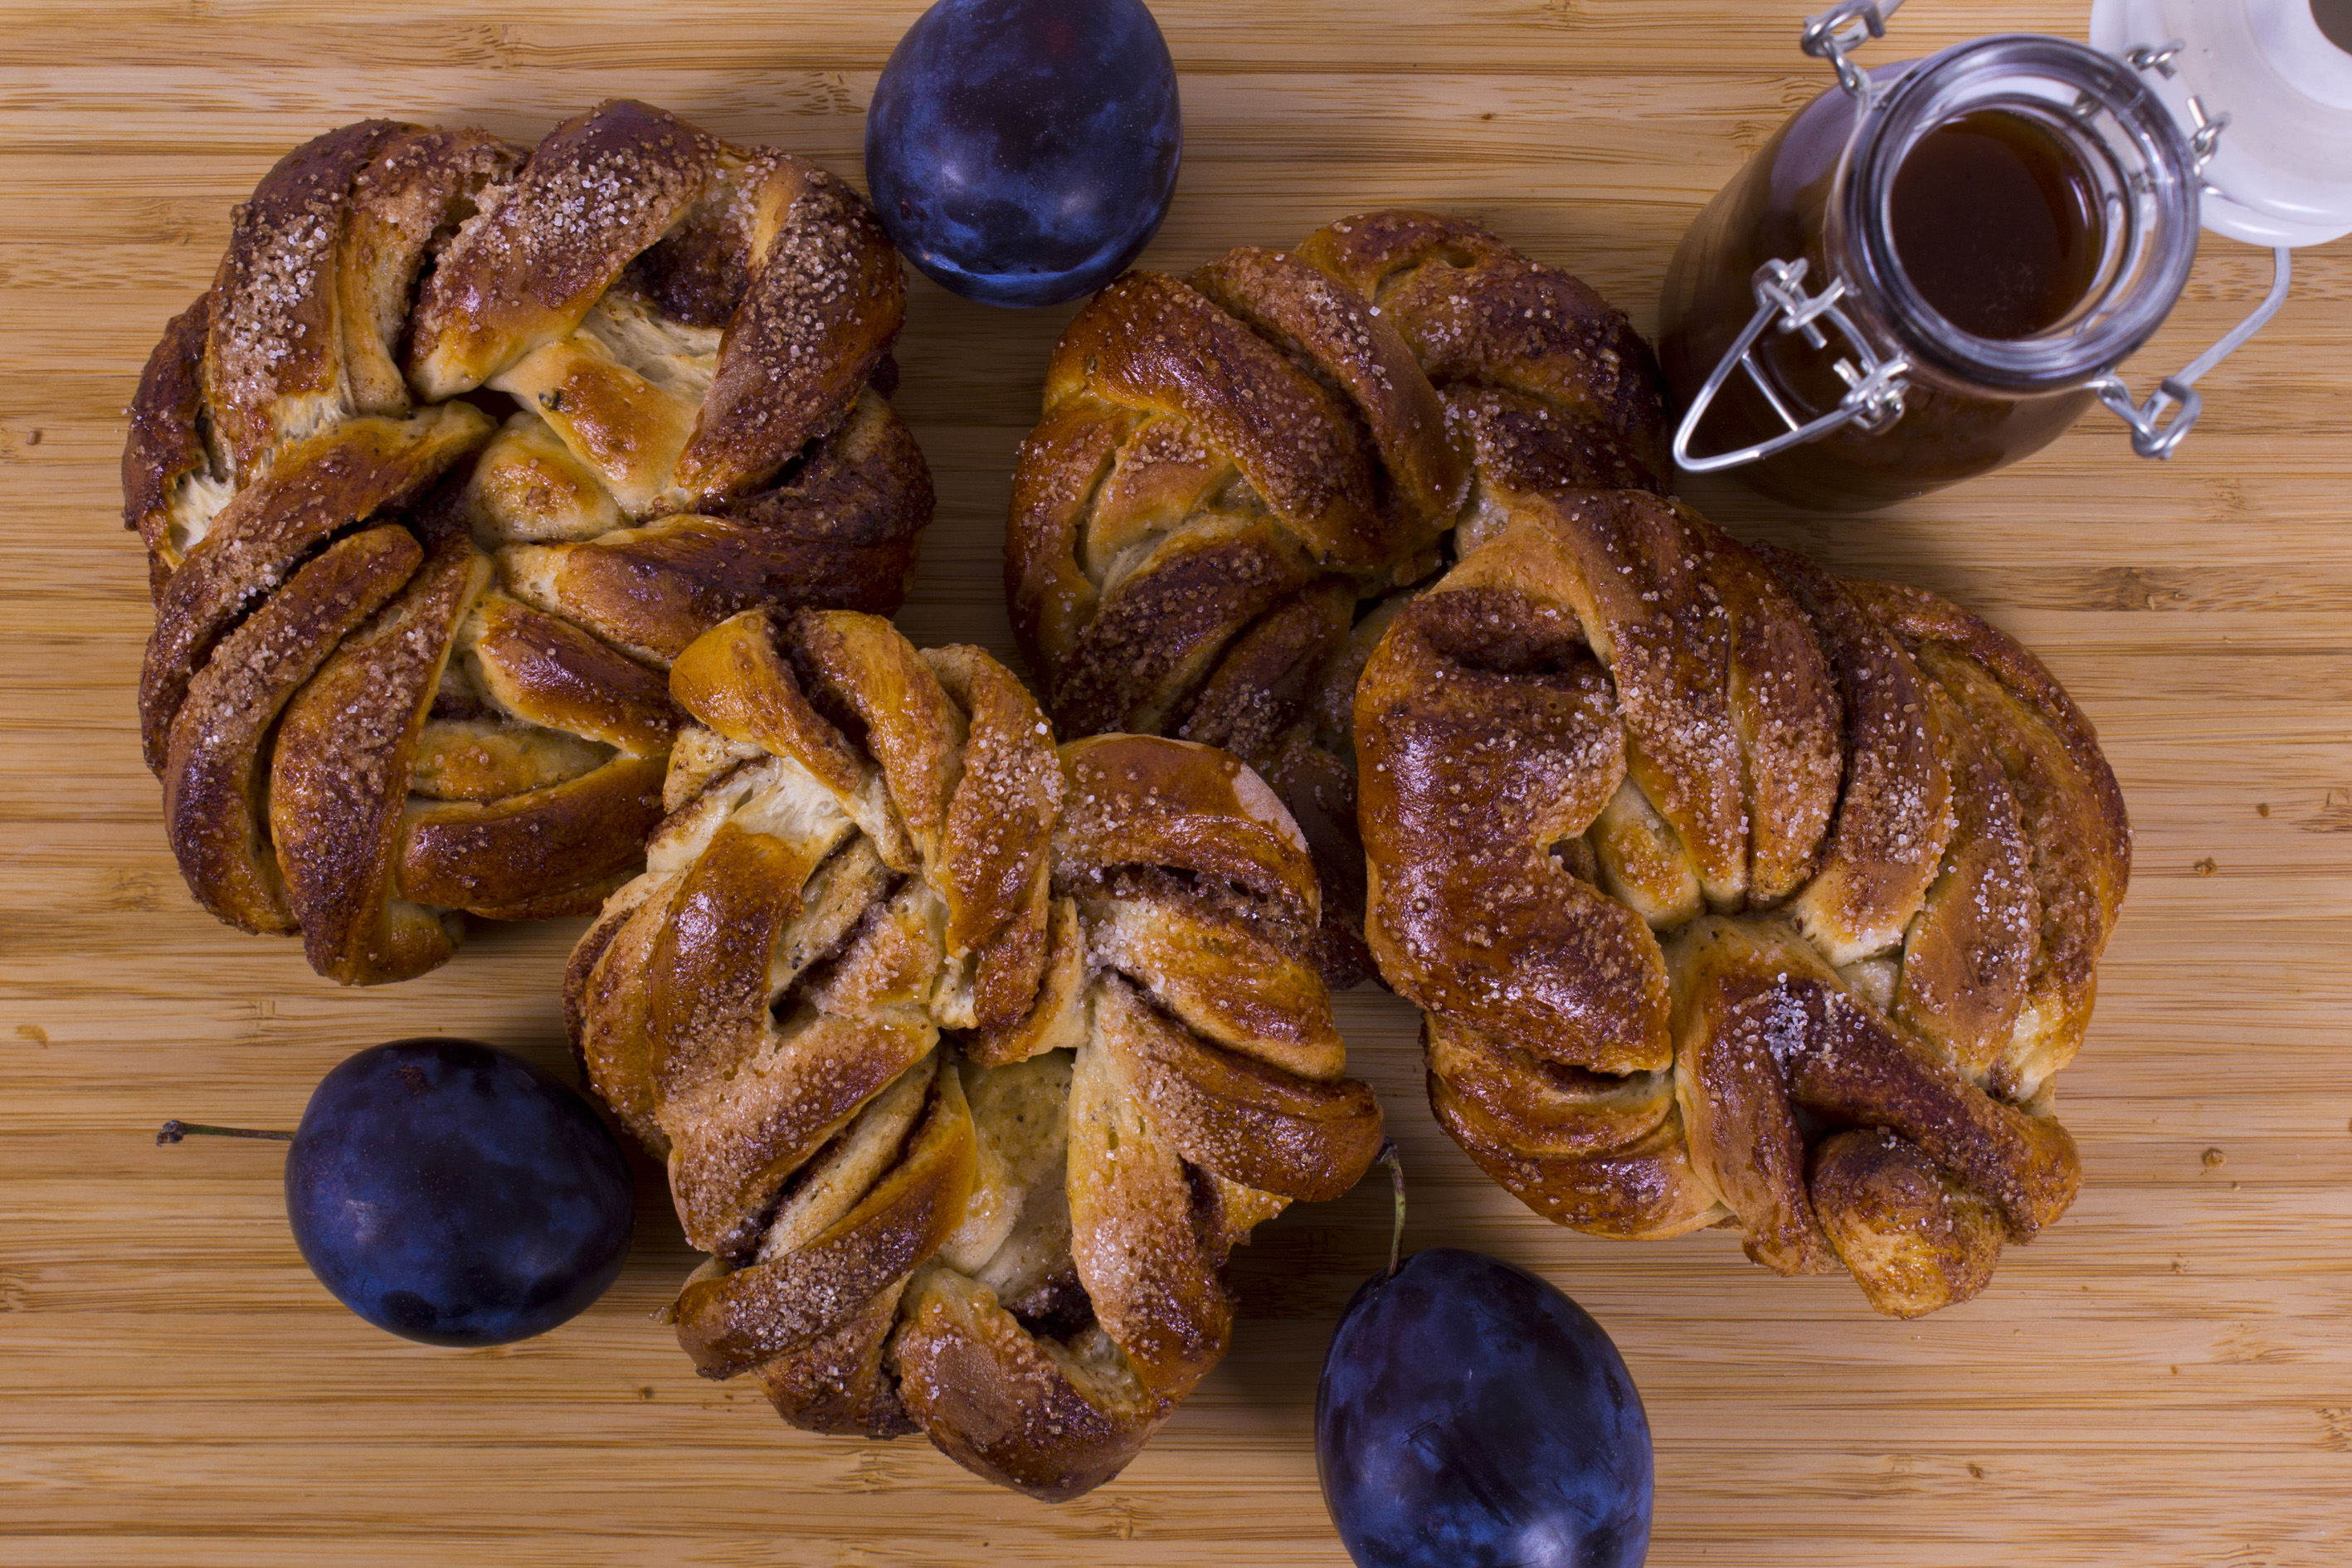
460	450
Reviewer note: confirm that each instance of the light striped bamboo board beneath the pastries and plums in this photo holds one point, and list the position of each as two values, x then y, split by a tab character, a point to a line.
2163	1379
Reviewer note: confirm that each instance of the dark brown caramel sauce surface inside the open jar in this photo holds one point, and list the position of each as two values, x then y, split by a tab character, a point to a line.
1996	225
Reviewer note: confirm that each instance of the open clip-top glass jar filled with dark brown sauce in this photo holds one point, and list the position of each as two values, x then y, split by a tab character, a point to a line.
1930	272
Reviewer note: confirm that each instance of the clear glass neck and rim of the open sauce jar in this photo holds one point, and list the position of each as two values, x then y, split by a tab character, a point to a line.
2132	156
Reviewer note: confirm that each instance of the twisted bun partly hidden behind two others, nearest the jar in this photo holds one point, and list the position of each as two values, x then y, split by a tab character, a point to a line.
1236	464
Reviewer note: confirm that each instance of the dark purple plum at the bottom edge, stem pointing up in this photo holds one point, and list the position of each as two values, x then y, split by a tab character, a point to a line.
1471	1416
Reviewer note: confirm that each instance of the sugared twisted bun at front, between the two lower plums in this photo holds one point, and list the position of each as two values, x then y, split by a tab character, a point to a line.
970	1057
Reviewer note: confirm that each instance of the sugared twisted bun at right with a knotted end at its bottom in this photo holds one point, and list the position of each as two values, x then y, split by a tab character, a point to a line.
1737	894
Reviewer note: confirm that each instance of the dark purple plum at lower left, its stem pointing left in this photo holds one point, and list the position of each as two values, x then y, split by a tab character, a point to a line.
457	1195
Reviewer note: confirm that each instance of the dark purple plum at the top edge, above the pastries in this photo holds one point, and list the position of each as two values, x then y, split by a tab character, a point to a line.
1024	152
